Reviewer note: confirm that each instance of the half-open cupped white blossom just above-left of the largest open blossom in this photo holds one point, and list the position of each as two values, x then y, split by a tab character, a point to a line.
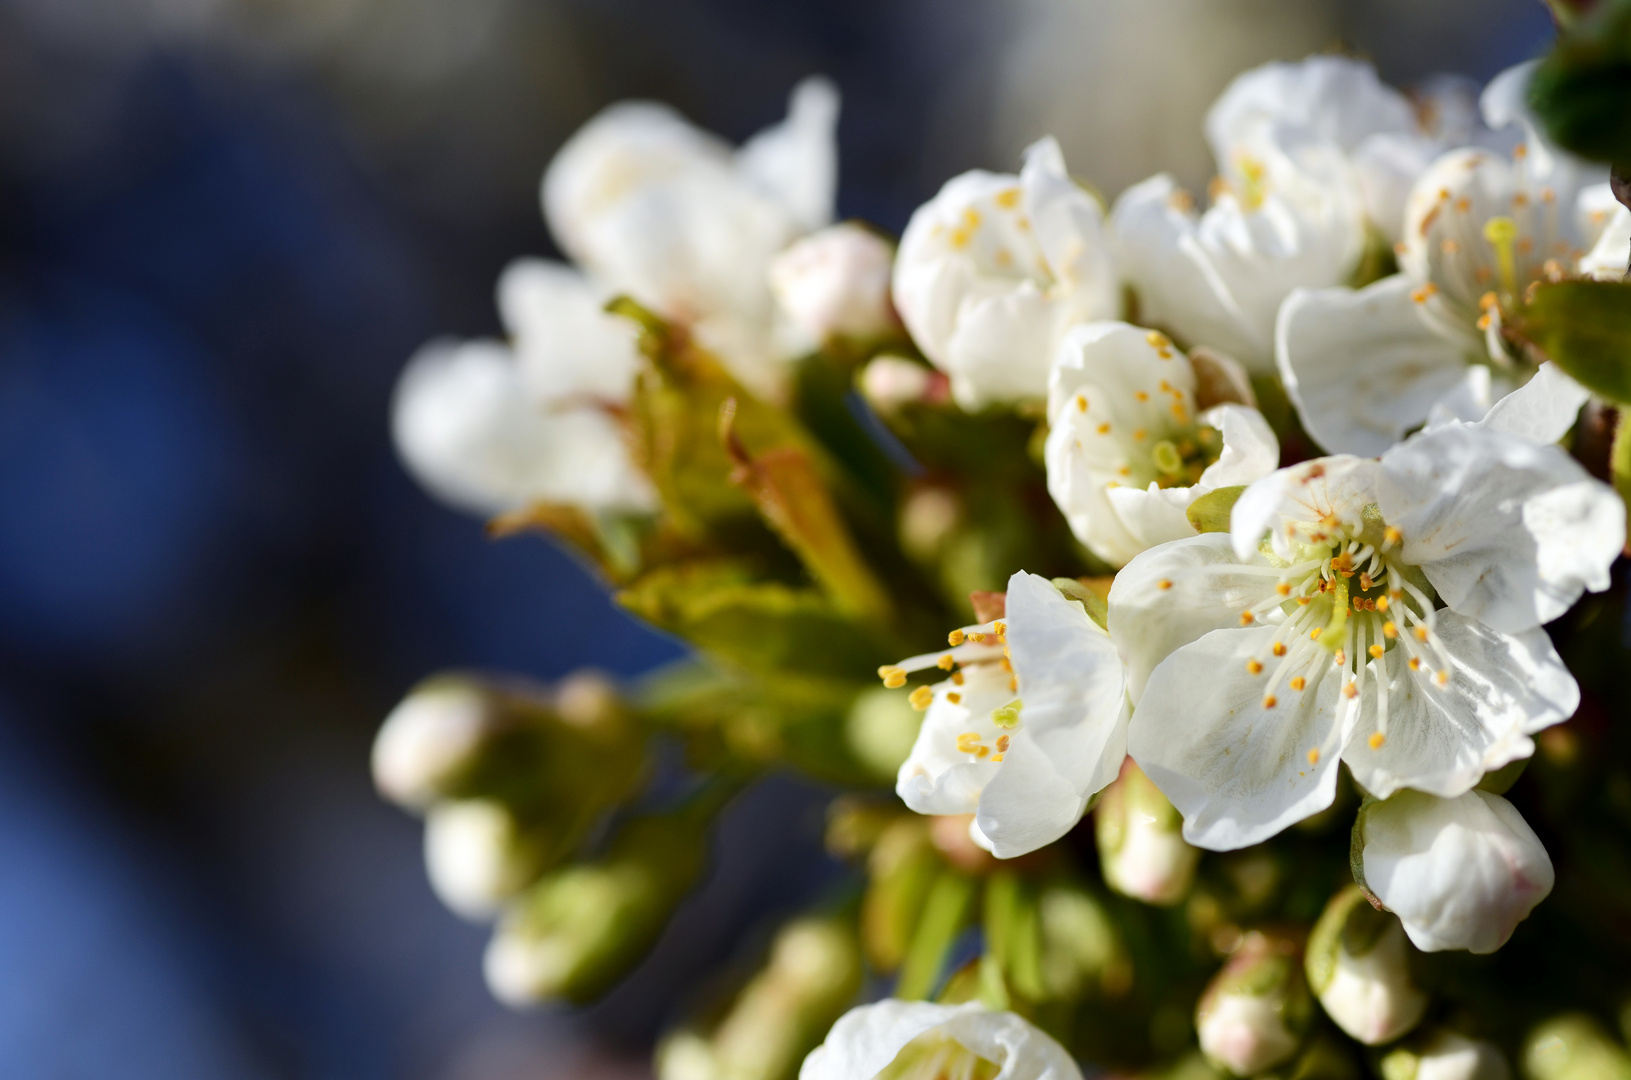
1129	449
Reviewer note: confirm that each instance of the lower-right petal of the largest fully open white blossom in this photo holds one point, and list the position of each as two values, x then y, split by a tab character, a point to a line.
1444	738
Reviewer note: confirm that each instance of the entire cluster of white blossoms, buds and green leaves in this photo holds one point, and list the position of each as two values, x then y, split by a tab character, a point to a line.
1260	510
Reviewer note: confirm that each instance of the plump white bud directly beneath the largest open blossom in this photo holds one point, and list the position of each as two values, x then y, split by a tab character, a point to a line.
1461	874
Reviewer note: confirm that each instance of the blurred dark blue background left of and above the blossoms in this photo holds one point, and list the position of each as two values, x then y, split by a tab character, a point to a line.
226	224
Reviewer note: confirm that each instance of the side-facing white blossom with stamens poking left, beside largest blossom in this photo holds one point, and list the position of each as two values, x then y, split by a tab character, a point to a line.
1025	751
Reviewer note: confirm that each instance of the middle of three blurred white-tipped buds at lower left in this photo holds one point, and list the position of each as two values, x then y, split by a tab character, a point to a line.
479	856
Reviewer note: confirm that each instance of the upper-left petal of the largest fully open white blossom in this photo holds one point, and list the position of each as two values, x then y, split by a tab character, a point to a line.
1177	593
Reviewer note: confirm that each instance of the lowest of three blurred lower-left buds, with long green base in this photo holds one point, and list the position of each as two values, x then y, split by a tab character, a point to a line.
581	929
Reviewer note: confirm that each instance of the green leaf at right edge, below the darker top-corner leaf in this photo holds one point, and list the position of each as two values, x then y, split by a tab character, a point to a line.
1585	327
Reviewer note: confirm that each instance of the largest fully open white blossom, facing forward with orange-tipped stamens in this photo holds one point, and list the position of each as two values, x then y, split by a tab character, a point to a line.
1386	614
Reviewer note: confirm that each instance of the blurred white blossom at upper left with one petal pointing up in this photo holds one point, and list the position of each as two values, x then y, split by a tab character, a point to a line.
648	205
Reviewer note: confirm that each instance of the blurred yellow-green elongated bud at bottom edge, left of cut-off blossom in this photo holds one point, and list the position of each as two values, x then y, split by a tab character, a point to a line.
813	973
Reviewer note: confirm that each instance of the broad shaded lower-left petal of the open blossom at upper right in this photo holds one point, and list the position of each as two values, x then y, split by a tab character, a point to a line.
1364	368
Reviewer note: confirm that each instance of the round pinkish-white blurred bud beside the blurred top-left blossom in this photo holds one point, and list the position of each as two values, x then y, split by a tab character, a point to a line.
836	283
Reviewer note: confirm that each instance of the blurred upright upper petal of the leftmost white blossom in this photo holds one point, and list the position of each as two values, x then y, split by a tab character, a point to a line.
568	347
